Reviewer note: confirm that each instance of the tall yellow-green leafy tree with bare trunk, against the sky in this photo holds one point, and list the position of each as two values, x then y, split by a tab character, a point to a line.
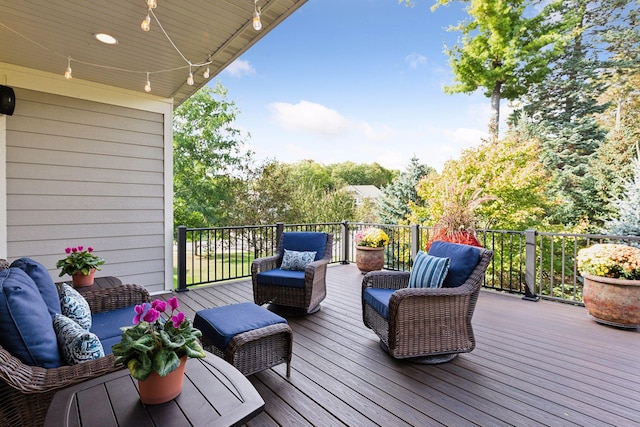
502	51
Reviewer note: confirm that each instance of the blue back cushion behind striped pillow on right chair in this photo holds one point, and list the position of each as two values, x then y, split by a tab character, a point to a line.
463	258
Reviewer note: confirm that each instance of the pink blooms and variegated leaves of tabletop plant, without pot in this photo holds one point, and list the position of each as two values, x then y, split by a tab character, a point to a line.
159	337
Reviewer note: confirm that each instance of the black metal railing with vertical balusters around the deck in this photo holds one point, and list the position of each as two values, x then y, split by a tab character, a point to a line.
530	263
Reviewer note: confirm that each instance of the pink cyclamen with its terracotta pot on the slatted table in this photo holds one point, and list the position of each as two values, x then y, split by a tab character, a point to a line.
155	349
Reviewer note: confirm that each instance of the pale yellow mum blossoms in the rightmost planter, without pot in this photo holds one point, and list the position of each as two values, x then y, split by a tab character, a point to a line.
610	260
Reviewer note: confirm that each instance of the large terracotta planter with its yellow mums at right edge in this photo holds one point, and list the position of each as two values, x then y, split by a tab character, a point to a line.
611	291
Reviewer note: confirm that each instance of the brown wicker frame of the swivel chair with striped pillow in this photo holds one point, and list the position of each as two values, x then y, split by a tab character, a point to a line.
425	325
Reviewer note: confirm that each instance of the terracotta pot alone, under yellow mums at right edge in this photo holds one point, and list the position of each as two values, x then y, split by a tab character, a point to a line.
611	301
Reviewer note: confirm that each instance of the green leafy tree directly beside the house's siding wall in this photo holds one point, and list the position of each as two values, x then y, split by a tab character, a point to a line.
207	152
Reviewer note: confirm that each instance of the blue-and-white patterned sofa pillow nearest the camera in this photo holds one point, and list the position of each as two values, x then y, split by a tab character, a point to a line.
77	345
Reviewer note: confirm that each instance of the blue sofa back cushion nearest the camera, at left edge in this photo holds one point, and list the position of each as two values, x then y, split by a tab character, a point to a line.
26	327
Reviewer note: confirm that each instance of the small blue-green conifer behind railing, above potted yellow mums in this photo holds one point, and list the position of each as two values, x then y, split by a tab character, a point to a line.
395	205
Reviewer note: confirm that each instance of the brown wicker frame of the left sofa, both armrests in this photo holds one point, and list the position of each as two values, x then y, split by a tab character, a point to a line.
26	391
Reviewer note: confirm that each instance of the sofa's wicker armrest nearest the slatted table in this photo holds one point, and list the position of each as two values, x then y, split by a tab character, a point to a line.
33	379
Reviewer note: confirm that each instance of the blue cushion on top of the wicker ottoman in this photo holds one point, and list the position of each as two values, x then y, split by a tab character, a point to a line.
221	324
